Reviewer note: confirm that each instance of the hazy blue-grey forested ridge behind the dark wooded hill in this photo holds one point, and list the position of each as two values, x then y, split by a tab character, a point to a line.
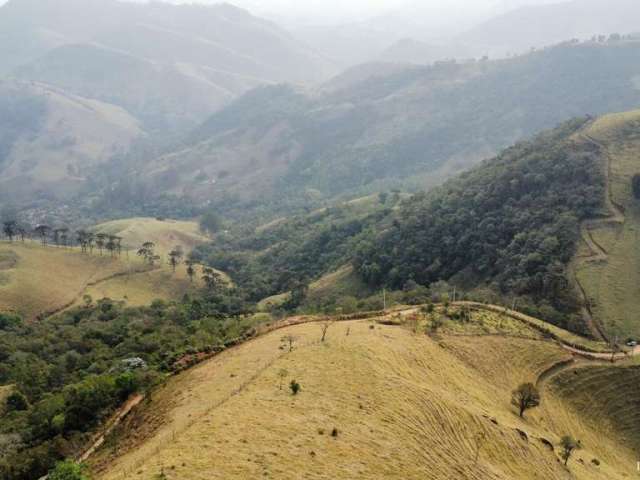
365	132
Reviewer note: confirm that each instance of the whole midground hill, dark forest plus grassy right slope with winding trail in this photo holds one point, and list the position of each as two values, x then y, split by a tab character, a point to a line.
536	226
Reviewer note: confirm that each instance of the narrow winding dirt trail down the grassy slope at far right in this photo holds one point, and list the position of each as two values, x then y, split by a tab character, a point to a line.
598	253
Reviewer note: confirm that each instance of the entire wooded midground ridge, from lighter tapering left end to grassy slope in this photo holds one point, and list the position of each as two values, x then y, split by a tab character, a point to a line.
506	229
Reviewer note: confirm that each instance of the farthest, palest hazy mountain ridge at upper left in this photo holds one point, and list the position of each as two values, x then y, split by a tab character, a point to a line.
170	66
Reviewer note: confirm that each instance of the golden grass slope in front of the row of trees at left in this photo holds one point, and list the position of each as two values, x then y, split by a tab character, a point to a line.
36	280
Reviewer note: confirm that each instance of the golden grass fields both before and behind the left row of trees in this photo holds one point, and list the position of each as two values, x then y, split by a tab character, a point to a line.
35	280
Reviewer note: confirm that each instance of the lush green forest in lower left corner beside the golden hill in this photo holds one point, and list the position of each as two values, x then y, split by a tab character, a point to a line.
68	372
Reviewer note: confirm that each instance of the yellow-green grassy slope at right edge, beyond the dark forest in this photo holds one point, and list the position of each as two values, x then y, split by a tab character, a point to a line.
613	286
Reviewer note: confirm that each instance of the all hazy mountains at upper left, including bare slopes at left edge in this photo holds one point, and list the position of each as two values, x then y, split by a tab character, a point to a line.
132	72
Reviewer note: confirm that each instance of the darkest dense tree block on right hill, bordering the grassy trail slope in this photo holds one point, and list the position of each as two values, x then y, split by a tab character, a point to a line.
512	224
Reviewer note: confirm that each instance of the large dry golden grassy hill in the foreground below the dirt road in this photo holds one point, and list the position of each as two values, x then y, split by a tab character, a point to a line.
405	407
